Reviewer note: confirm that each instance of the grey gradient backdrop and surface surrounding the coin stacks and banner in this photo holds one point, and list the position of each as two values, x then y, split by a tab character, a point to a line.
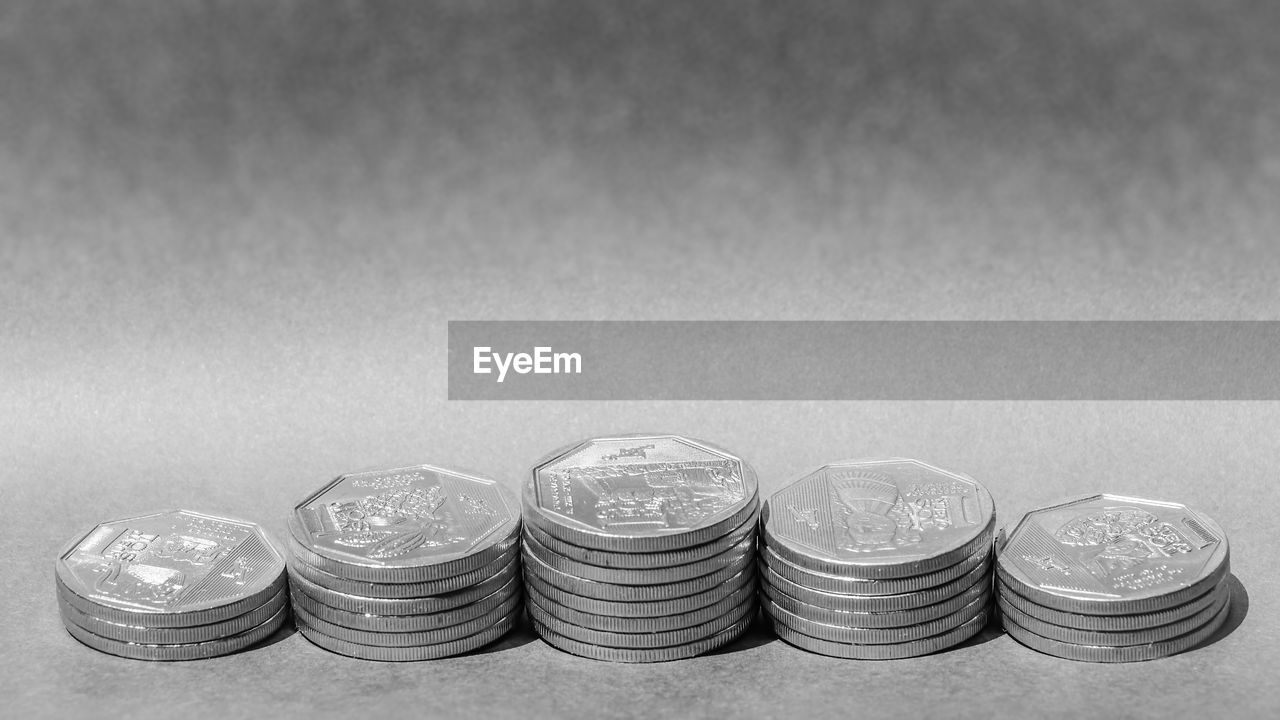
231	238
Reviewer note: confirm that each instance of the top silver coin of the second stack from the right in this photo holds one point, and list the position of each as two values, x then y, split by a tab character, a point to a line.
875	520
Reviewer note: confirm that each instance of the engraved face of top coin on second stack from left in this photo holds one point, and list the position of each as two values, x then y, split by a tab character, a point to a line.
403	516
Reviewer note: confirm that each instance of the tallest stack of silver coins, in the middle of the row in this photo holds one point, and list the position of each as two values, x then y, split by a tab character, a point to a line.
641	549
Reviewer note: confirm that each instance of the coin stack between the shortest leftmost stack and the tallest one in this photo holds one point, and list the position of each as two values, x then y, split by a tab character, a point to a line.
408	564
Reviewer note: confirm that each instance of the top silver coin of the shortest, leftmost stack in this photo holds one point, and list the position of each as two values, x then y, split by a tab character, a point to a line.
171	569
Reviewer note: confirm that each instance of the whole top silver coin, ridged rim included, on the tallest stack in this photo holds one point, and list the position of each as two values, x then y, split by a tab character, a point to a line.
641	494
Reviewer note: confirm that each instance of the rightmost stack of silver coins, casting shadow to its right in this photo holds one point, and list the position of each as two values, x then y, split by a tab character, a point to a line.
1113	580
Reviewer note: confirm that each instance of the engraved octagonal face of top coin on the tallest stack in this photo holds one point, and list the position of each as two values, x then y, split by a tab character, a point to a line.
639	486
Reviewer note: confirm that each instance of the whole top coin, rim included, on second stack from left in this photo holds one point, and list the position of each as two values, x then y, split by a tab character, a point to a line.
406	525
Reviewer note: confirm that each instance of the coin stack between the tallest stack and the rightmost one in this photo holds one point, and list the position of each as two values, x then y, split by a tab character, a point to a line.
877	559
